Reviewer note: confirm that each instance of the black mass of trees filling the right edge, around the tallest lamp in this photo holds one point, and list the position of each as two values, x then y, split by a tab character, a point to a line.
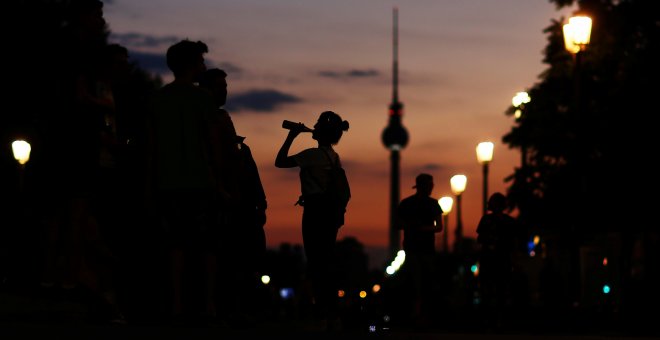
584	183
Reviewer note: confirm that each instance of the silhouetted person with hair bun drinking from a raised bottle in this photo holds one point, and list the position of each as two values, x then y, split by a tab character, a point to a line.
320	224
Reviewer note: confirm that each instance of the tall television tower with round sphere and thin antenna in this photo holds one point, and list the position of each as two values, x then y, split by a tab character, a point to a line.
395	137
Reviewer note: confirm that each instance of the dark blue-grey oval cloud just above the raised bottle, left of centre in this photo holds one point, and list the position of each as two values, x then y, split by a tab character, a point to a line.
259	100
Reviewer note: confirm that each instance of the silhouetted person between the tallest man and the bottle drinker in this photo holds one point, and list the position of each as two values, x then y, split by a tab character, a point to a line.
244	211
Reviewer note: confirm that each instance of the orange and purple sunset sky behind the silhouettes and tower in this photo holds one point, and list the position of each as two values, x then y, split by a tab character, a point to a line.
460	63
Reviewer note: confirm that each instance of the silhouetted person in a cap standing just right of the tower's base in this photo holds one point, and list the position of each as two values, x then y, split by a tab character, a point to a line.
420	217
